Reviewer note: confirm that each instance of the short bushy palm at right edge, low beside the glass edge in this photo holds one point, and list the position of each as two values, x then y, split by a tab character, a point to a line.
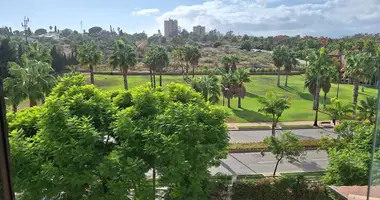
367	109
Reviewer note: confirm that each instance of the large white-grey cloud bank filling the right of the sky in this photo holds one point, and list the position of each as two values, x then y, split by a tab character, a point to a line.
274	17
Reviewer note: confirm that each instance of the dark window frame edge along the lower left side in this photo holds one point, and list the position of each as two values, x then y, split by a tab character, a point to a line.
5	175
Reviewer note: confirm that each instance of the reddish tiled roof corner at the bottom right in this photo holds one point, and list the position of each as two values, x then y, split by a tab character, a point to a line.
345	191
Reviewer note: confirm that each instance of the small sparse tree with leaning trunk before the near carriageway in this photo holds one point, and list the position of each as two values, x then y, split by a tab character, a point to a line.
287	145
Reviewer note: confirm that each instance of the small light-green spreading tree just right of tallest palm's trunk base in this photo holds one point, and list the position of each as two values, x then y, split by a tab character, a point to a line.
337	111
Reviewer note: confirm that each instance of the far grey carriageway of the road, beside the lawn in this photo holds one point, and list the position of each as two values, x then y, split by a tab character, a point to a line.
257	136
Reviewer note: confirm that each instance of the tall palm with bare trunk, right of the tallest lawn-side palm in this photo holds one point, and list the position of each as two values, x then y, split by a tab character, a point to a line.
356	69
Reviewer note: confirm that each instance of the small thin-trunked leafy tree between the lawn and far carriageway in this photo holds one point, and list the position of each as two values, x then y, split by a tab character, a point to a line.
274	105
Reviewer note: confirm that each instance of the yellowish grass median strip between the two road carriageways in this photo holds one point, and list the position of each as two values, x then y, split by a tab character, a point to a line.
260	146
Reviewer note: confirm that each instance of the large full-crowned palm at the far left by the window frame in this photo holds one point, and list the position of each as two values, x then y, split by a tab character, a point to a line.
33	78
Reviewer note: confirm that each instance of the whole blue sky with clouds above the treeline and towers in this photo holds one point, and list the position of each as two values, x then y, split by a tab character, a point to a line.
333	18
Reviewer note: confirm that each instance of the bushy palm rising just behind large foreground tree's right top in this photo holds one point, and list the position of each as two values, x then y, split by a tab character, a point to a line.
208	86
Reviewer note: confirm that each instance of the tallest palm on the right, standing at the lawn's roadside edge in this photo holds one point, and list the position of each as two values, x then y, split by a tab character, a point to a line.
318	71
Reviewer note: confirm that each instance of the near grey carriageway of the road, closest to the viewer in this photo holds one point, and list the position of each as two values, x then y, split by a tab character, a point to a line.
255	163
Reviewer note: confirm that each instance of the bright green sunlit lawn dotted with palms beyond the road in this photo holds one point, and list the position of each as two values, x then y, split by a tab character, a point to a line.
301	100
